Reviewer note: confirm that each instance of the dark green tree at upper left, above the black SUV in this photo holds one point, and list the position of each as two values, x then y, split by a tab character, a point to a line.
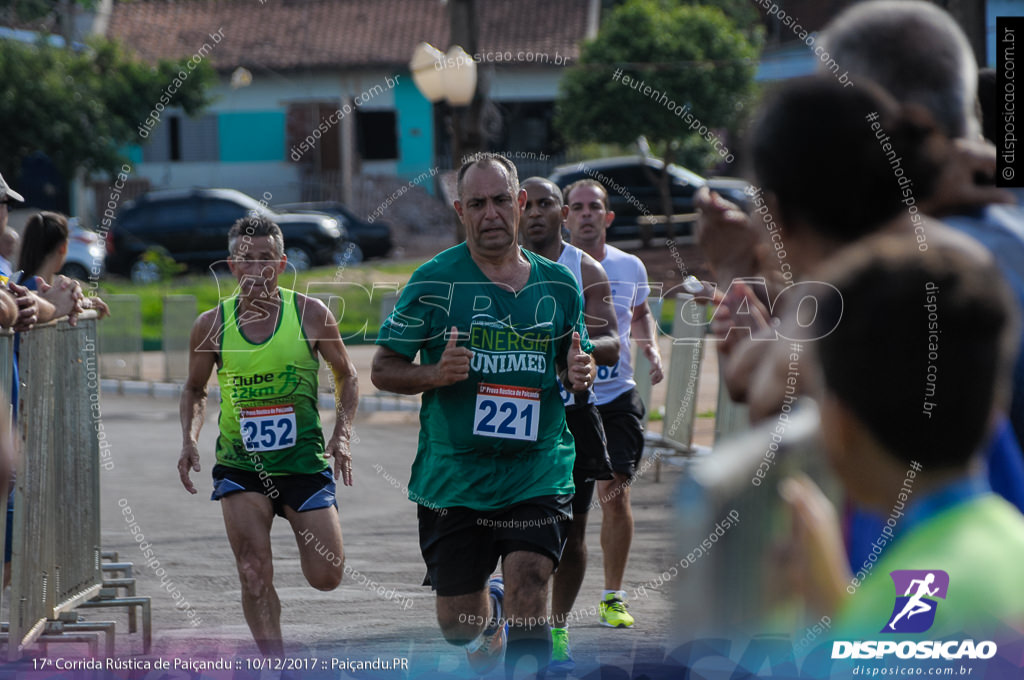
82	108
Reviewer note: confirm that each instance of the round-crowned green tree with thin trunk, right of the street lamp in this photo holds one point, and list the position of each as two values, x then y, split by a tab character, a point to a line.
685	63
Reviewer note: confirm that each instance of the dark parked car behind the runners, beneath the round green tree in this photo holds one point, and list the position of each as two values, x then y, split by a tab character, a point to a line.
634	192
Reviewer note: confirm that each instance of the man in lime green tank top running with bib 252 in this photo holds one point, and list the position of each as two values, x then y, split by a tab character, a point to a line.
272	457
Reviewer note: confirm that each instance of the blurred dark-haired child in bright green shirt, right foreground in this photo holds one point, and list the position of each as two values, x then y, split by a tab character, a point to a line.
936	330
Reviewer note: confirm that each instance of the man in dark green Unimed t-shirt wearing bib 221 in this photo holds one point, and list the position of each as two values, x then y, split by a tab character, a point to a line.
494	325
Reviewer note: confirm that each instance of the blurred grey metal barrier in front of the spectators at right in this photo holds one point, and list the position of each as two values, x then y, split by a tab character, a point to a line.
732	523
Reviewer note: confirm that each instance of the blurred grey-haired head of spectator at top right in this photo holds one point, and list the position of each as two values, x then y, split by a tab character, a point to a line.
916	52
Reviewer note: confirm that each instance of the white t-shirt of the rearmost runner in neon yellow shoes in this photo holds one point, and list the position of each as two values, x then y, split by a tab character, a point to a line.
628	278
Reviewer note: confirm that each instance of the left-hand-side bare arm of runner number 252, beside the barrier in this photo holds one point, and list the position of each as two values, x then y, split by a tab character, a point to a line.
203	350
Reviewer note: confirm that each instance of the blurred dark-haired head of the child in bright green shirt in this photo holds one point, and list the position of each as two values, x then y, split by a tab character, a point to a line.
918	364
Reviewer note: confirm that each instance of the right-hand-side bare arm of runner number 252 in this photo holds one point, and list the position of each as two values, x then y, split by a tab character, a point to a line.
322	329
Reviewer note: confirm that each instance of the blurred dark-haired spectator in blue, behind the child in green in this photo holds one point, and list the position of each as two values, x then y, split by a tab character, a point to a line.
817	214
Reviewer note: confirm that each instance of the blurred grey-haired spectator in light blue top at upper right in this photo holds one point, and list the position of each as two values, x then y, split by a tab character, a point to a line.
920	56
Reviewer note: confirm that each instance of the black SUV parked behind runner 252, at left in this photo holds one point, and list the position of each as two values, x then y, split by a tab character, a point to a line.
192	226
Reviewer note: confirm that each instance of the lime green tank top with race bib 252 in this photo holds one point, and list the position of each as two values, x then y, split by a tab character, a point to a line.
269	397
